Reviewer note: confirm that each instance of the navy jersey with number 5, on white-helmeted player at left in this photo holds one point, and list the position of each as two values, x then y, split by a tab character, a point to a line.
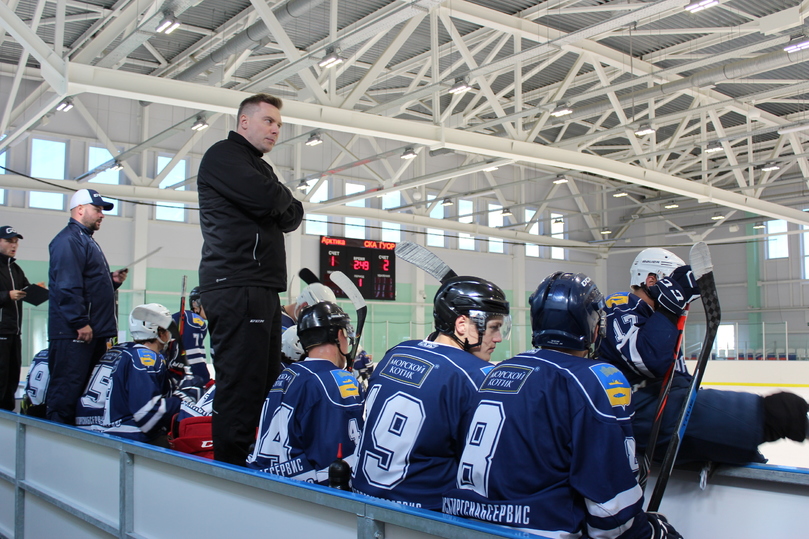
126	395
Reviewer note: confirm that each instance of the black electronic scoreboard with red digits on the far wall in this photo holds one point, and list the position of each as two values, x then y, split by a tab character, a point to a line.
369	264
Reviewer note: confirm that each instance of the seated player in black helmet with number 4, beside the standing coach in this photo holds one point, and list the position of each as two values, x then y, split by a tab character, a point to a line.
315	405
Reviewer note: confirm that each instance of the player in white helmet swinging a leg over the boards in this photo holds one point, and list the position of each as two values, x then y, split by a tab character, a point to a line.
724	426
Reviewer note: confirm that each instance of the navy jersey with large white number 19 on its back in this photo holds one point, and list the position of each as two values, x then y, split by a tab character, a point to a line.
416	411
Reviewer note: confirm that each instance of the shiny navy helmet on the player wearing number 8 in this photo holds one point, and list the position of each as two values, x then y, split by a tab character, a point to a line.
565	311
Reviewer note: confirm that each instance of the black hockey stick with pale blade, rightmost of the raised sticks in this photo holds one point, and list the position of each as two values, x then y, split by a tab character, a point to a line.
703	271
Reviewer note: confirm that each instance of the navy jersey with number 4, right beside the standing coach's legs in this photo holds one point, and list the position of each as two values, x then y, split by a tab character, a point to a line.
311	409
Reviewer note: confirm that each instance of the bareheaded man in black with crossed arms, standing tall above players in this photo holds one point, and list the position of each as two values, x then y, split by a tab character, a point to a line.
244	213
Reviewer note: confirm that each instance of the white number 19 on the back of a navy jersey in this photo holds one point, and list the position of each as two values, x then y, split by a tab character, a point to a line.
393	438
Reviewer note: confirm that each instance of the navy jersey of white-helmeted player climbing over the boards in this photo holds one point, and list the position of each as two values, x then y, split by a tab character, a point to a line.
639	341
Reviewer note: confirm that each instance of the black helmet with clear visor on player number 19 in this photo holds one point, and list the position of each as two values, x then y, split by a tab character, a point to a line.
474	297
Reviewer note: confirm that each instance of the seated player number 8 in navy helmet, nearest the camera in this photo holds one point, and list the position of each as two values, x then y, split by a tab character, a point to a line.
550	444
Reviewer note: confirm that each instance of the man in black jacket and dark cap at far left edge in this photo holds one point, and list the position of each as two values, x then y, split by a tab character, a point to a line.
12	282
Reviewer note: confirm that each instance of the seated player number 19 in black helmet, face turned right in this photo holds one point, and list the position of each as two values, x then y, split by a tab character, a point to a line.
421	393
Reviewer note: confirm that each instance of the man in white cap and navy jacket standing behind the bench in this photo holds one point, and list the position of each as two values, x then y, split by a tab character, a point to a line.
81	309
